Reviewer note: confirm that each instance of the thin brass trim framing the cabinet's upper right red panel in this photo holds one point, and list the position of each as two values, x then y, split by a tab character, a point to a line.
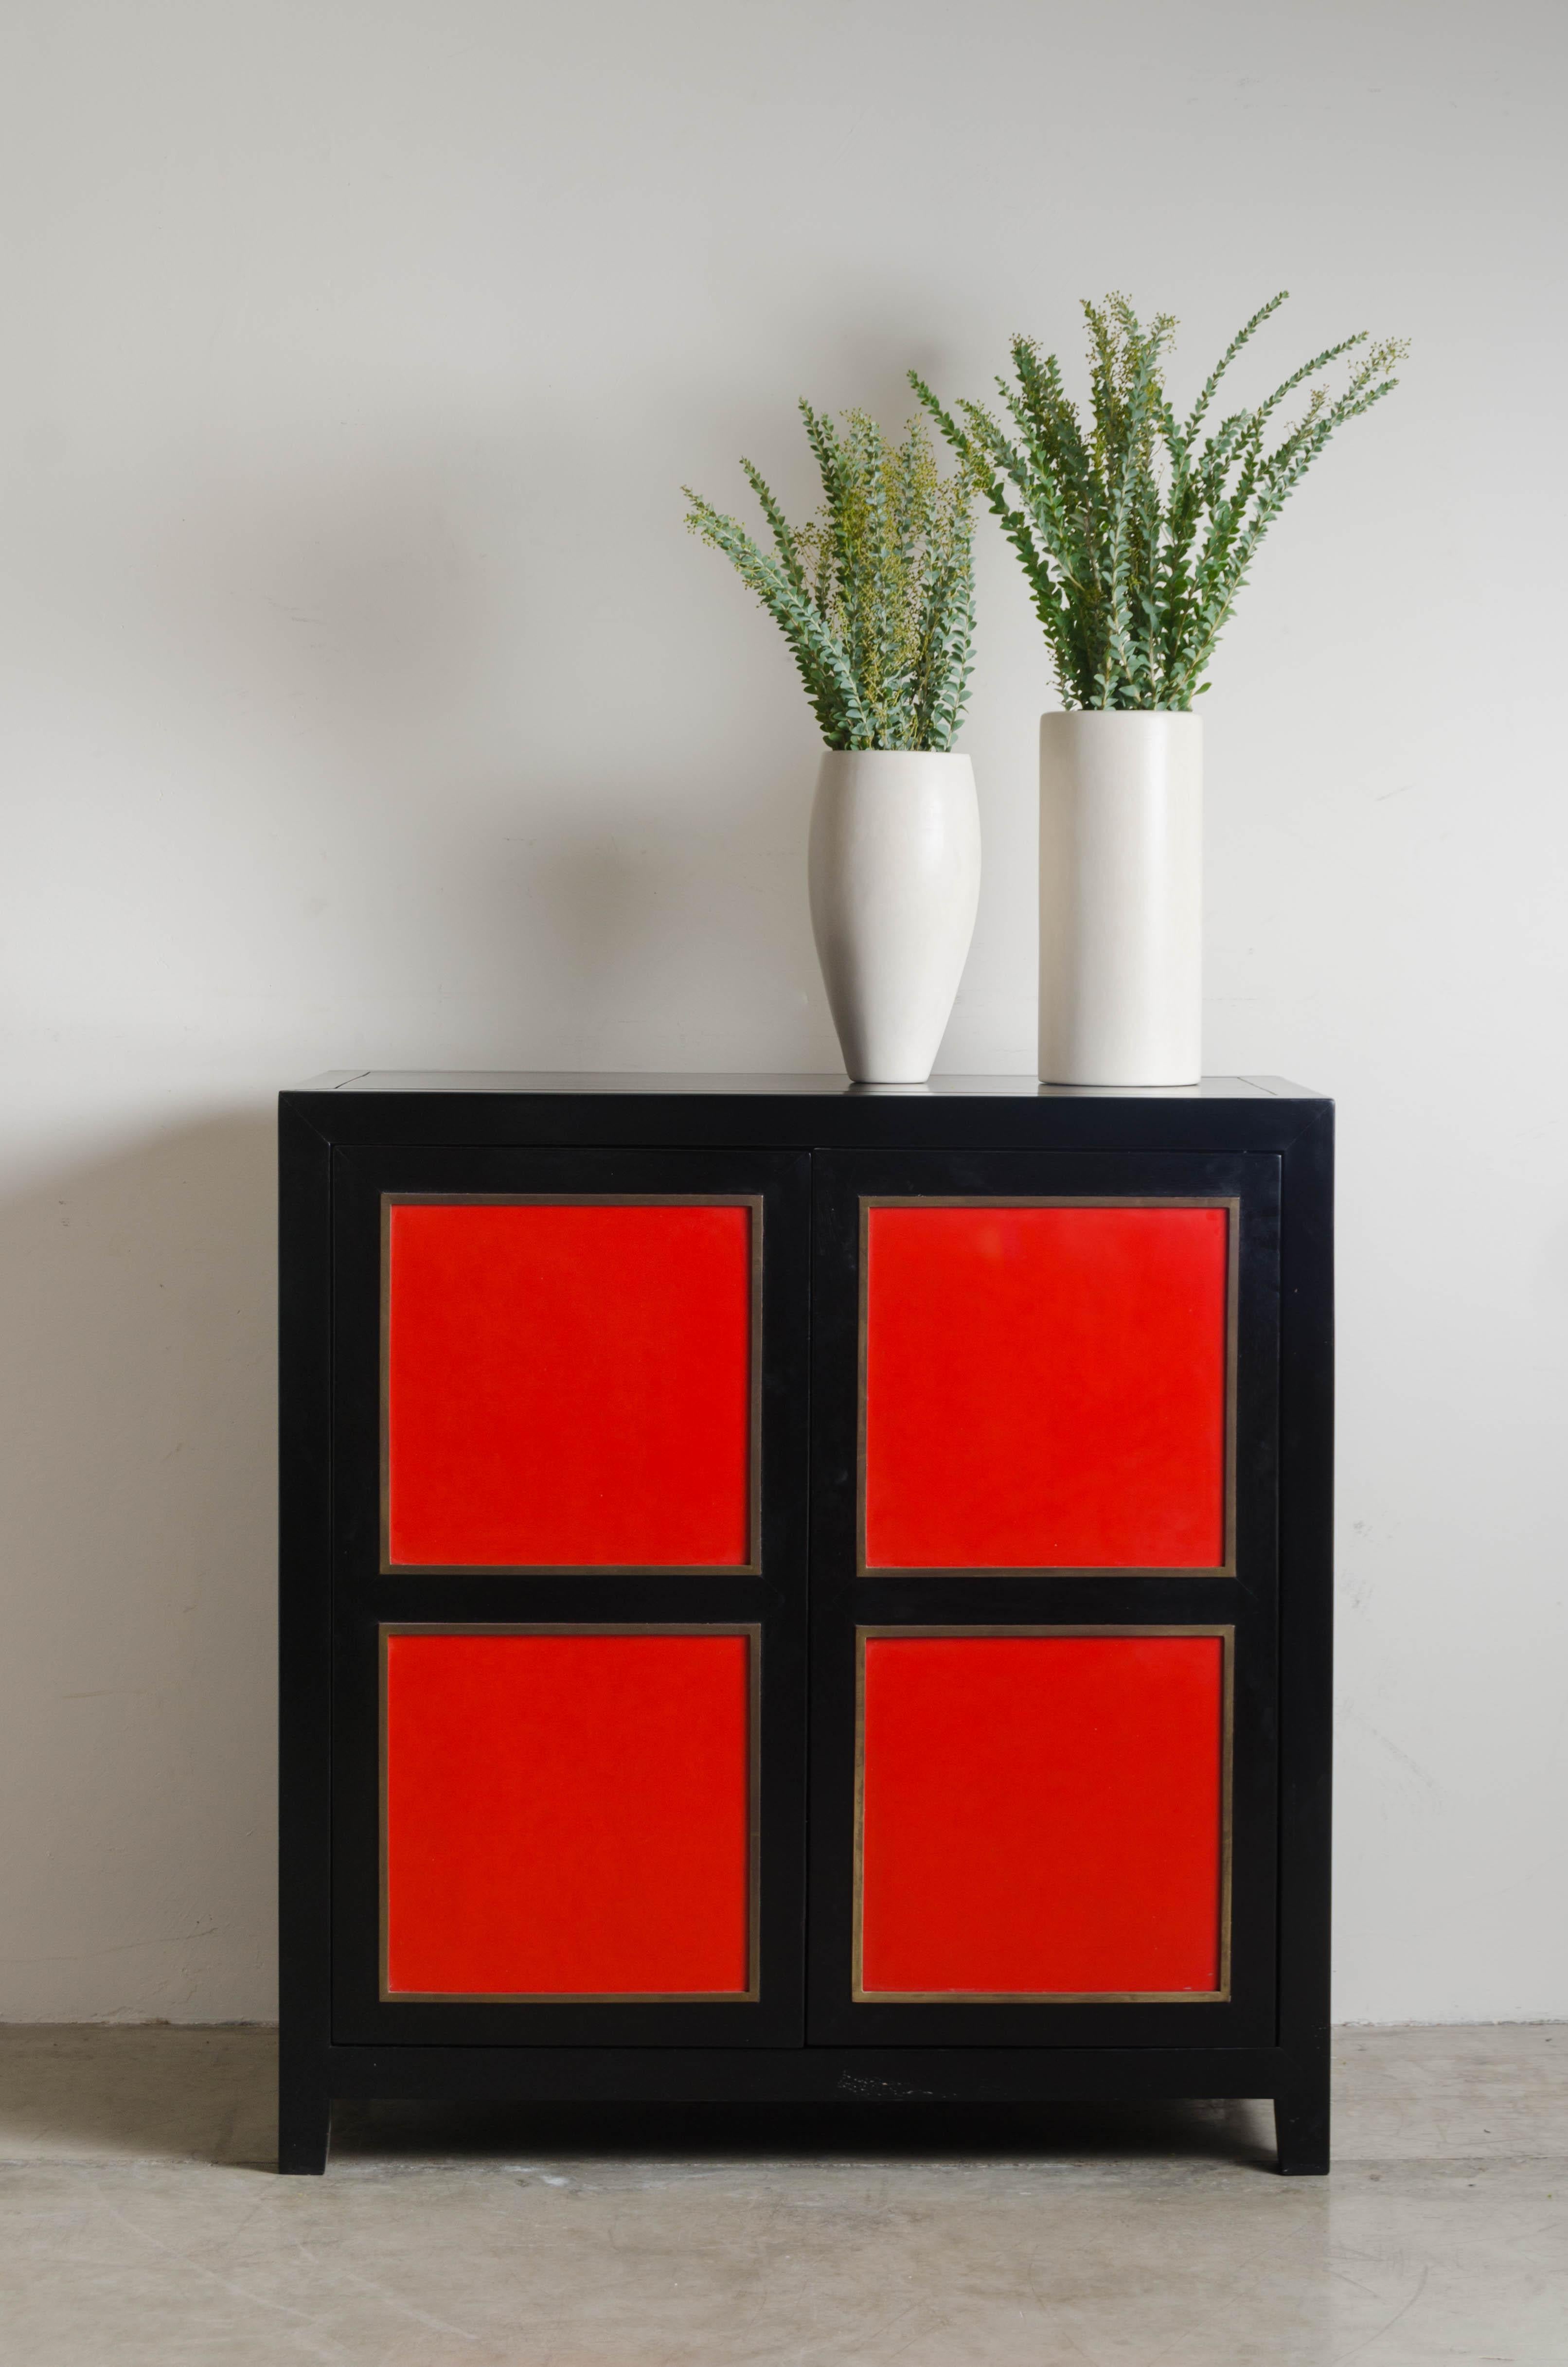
1233	1331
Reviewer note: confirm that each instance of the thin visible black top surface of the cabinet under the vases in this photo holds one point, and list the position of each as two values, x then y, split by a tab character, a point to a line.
790	1085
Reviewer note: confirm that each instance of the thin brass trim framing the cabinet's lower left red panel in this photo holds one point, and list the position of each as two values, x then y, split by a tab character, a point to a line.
752	1630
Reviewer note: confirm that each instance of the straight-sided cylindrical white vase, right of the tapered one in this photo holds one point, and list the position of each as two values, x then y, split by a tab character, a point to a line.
1122	898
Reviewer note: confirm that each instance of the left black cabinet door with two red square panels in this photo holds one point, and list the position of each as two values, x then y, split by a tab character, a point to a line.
570	1597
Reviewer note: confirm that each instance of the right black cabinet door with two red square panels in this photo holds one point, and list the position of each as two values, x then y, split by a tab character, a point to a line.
1043	1599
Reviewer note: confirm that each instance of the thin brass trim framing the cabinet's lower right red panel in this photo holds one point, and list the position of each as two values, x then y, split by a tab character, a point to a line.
1053	1997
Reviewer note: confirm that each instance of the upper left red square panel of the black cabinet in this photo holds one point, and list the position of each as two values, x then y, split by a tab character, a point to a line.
570	1386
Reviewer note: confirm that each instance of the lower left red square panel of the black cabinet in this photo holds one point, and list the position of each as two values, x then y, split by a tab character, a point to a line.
567	1814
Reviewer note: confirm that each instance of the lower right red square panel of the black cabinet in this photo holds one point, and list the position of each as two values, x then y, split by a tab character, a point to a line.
1043	1814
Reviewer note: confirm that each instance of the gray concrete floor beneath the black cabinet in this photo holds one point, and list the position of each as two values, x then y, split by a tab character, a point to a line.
141	2224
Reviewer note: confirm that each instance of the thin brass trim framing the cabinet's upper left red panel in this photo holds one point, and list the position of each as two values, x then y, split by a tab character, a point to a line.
754	1405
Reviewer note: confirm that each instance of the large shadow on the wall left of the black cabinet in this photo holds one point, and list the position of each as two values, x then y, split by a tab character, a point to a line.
139	1679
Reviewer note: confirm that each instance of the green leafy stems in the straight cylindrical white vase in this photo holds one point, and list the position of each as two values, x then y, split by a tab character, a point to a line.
1136	536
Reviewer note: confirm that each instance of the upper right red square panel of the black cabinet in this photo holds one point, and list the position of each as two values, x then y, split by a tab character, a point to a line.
1046	1388
